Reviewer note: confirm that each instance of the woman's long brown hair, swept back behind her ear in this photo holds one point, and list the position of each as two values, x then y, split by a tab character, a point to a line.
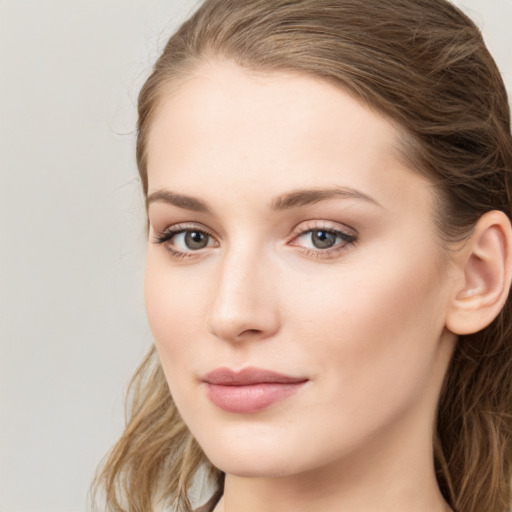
424	65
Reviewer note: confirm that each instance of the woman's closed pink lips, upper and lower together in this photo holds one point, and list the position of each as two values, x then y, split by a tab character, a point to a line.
249	390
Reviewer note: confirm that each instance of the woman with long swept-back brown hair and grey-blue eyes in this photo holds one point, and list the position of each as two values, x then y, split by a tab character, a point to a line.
329	261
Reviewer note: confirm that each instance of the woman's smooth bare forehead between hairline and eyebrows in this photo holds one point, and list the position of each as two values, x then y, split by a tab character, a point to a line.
286	130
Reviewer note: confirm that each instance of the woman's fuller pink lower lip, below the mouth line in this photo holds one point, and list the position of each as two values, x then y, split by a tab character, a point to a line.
250	398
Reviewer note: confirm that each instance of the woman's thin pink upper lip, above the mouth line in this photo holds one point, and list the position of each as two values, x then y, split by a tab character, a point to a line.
247	376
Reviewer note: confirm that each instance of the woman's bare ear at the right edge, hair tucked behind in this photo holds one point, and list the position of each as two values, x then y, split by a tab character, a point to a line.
485	267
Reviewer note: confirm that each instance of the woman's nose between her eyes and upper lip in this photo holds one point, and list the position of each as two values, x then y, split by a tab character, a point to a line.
244	305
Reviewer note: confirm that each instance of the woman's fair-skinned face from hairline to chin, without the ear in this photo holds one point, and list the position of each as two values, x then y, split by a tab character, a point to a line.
287	237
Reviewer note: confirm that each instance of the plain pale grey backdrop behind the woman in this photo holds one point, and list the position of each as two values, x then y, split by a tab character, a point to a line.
72	324
